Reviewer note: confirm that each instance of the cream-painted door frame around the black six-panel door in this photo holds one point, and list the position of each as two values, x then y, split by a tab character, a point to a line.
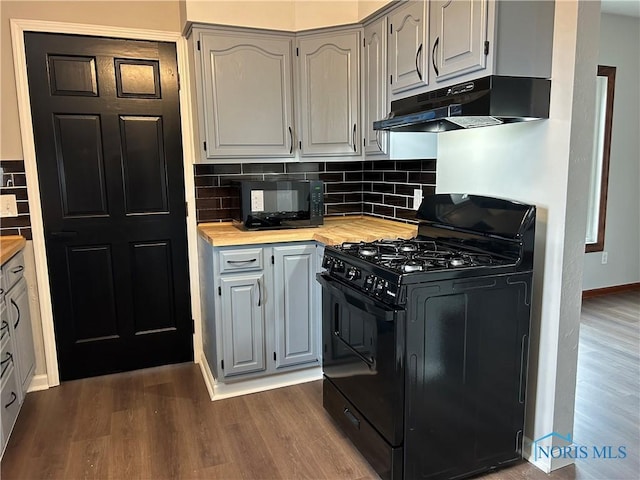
18	29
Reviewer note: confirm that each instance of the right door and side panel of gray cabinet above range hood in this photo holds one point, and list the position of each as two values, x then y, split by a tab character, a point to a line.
475	38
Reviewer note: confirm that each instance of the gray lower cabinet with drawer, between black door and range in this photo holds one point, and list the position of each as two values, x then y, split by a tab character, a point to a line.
260	309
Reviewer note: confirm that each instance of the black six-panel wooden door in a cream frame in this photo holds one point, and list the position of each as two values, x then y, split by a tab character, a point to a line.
106	122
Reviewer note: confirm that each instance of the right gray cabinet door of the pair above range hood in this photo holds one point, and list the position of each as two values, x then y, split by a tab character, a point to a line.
459	32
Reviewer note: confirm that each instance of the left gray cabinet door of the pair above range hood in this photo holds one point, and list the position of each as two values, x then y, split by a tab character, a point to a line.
408	58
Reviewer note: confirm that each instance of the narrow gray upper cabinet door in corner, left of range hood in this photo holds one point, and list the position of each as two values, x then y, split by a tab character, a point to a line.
374	86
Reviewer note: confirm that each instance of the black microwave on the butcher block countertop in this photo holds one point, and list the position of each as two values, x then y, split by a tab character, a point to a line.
266	205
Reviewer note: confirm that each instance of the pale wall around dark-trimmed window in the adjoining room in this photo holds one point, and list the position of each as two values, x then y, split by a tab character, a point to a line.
620	47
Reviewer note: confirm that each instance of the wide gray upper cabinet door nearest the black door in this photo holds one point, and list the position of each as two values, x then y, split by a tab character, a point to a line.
247	96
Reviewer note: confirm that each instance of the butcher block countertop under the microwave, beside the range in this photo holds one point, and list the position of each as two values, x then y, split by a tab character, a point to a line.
334	231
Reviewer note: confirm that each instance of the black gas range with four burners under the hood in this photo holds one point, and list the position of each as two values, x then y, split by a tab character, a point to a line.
426	339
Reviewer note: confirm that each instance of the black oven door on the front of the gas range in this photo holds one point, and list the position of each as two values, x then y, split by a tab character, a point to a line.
363	355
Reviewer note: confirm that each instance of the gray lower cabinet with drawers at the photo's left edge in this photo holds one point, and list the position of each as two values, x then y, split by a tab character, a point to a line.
17	357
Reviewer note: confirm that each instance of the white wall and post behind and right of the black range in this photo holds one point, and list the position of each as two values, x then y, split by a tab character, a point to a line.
544	163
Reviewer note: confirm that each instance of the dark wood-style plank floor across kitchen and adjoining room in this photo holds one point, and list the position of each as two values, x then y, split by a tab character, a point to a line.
159	423
